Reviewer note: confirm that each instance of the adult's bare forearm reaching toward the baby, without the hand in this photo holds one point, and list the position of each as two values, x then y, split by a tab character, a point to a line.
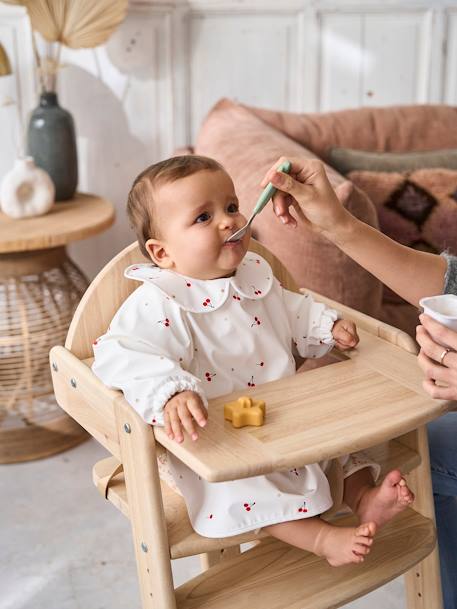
410	273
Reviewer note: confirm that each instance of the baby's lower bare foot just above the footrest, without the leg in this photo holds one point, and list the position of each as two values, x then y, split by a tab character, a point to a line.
343	545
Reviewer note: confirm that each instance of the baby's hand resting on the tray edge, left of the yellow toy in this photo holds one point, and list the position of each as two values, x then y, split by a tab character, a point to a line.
181	411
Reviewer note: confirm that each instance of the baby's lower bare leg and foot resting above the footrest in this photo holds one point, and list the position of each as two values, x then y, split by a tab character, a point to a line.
339	545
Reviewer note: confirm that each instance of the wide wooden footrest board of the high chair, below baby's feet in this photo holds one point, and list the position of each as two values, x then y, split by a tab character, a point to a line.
273	575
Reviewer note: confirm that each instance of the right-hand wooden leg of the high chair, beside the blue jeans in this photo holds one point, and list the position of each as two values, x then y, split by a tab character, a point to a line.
423	582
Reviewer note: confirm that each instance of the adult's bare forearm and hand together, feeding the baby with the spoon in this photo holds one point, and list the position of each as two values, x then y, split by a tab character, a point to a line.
410	273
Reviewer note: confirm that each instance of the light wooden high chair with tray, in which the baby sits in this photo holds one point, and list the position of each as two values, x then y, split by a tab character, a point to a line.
373	398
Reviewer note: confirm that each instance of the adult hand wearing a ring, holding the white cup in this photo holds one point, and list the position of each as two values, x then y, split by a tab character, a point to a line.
438	365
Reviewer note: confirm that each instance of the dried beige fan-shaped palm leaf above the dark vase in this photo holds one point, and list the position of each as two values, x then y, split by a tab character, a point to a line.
75	23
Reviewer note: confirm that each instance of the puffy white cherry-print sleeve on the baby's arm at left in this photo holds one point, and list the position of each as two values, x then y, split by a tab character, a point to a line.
146	354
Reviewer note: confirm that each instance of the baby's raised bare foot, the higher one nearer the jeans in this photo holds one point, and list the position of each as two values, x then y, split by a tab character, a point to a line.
381	503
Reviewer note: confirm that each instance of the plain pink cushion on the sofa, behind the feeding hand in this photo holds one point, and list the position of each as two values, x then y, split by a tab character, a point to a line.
247	147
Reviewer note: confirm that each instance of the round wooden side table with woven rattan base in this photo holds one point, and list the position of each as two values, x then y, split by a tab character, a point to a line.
40	288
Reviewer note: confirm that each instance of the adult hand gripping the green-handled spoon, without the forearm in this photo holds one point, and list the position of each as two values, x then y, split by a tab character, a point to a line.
307	189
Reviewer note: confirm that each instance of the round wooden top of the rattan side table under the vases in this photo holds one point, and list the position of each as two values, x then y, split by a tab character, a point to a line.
82	216
